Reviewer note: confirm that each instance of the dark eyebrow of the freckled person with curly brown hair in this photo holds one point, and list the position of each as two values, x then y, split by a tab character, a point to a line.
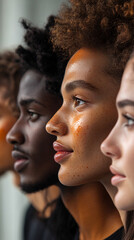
79	84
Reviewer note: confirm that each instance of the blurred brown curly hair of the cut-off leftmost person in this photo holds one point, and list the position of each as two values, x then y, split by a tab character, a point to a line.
10	75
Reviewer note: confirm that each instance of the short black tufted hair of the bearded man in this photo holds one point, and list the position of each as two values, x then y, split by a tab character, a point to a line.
38	54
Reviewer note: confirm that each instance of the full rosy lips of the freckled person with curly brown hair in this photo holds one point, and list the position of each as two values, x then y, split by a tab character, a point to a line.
62	151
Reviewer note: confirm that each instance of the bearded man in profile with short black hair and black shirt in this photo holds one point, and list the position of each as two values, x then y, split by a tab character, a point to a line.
38	99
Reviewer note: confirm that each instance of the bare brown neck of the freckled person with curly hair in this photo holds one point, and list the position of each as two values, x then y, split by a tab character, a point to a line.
93	210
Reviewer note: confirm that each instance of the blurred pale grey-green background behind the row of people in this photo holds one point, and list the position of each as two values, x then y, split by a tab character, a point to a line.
12	202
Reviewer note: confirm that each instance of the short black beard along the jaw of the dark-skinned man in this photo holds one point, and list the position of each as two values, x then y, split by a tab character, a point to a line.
35	187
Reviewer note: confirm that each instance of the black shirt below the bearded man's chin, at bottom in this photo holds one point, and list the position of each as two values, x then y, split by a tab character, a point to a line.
36	229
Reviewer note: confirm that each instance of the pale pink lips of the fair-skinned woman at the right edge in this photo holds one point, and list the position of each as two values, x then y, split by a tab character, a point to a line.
117	178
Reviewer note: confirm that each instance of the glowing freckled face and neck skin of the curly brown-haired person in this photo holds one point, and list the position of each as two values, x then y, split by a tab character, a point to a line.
80	125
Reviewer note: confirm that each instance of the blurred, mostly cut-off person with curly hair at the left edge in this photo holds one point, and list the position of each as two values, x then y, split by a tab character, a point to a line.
10	74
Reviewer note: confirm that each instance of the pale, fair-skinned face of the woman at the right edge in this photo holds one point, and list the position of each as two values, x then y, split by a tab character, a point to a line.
119	144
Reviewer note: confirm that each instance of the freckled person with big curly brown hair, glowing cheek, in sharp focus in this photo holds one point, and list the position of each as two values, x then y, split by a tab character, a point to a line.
98	35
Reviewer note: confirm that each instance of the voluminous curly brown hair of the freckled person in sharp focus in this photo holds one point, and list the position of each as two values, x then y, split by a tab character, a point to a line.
99	24
